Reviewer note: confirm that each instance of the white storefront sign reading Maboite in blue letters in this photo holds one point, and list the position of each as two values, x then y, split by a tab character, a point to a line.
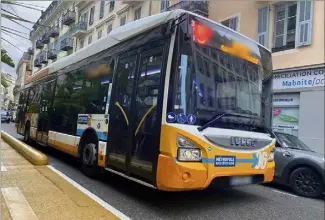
299	79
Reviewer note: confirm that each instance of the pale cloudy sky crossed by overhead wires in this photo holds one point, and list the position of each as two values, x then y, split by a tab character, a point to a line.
23	44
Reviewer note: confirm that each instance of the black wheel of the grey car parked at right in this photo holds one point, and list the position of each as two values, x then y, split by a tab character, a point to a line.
306	182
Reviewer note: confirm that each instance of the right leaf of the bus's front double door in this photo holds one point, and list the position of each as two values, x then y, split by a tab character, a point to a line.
145	140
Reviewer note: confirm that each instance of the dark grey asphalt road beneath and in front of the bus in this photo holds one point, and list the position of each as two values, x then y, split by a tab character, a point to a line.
139	202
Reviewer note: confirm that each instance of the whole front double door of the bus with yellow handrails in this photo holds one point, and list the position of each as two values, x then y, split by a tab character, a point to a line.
134	126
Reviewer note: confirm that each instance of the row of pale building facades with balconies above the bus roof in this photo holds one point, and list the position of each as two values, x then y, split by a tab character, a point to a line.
67	26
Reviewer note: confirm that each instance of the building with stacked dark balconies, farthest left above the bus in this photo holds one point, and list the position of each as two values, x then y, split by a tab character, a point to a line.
51	36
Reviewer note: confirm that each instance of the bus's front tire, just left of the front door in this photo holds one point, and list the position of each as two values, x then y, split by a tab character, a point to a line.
89	164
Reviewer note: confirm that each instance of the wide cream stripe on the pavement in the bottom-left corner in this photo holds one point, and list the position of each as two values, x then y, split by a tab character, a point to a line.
17	204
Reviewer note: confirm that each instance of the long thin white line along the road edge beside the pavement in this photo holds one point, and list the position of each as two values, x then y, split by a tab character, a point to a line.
91	195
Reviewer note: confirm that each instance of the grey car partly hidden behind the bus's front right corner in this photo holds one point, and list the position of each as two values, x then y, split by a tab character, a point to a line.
298	167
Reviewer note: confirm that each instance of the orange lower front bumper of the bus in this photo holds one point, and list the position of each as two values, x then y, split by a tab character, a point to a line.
184	176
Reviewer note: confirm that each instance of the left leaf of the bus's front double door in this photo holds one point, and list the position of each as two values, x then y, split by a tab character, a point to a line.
120	110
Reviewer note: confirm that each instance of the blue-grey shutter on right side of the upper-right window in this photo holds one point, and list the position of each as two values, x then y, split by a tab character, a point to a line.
304	24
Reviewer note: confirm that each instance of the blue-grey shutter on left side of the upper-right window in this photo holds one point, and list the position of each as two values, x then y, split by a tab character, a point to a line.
263	25
